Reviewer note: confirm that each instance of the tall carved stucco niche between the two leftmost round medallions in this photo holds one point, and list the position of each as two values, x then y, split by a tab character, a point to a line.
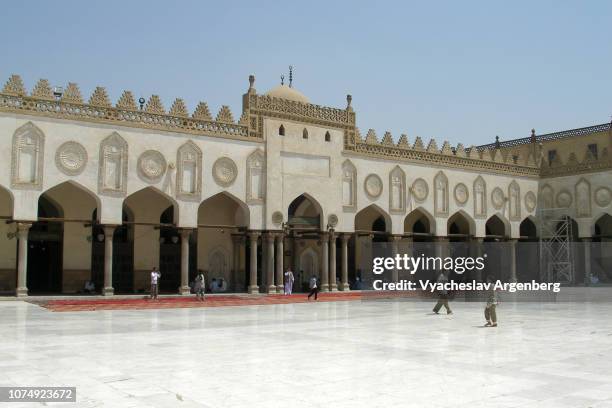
113	166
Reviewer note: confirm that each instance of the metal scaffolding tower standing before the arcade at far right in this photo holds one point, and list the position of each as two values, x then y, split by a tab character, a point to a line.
556	257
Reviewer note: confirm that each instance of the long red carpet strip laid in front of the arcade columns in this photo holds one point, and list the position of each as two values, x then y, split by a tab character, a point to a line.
80	304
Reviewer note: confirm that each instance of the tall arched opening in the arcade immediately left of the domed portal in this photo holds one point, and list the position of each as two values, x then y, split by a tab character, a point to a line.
221	242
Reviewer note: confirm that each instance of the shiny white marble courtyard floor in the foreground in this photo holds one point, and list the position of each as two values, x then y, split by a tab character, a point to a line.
334	354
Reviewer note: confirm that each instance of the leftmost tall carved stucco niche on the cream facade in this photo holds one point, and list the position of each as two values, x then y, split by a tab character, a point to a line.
27	158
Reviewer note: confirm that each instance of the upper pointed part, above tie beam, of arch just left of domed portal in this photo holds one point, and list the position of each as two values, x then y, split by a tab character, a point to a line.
224	208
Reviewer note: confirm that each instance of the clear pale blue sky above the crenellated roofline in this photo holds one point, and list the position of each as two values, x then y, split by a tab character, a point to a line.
459	70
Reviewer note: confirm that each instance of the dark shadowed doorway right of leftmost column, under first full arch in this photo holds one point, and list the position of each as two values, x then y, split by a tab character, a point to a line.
45	247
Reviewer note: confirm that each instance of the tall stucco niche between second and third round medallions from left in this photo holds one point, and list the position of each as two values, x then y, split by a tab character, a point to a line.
189	172
